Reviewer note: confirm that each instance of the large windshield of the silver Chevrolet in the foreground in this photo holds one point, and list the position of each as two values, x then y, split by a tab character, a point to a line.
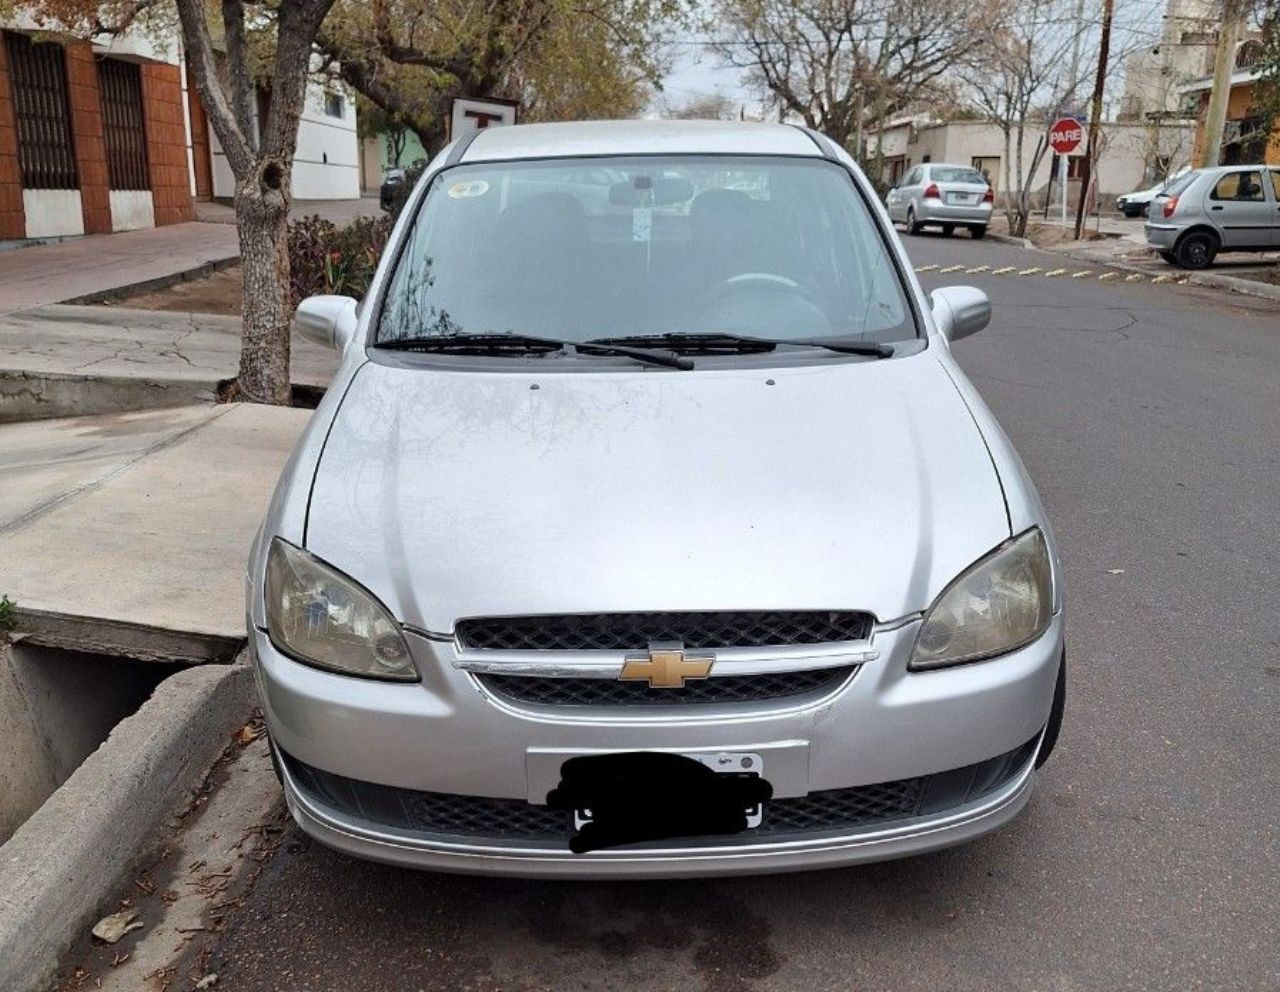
580	250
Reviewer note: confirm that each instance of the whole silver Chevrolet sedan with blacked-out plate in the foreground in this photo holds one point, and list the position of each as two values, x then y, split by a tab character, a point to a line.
652	534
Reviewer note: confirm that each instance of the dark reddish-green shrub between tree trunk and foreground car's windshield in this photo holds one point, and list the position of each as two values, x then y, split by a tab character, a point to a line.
328	259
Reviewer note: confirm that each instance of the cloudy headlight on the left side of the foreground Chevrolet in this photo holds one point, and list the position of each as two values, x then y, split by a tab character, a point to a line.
321	616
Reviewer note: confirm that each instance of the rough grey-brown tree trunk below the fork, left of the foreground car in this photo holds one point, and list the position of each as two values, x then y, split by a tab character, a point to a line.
263	221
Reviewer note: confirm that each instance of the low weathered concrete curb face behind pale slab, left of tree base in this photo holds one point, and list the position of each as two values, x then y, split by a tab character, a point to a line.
26	395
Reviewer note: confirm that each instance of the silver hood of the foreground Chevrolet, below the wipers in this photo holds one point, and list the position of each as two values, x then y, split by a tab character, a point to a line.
843	486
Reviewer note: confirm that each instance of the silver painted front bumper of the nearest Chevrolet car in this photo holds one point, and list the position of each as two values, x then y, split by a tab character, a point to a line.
450	737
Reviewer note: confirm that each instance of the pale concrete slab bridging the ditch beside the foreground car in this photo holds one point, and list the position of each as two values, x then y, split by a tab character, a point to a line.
141	524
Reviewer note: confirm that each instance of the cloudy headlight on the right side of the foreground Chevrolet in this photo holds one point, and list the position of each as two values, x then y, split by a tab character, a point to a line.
999	605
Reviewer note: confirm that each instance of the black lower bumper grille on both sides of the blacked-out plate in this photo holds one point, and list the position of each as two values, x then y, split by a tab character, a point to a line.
442	815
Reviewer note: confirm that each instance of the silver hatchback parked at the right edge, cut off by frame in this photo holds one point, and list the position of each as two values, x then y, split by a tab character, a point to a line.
1231	208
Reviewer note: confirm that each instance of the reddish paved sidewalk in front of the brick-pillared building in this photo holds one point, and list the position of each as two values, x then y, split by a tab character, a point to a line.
100	263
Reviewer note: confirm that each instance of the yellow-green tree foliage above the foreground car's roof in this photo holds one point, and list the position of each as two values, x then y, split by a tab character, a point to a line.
561	60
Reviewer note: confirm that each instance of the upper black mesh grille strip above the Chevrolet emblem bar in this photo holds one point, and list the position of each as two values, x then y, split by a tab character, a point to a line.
636	632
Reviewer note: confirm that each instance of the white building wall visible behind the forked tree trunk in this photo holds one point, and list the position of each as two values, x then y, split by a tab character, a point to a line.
327	161
